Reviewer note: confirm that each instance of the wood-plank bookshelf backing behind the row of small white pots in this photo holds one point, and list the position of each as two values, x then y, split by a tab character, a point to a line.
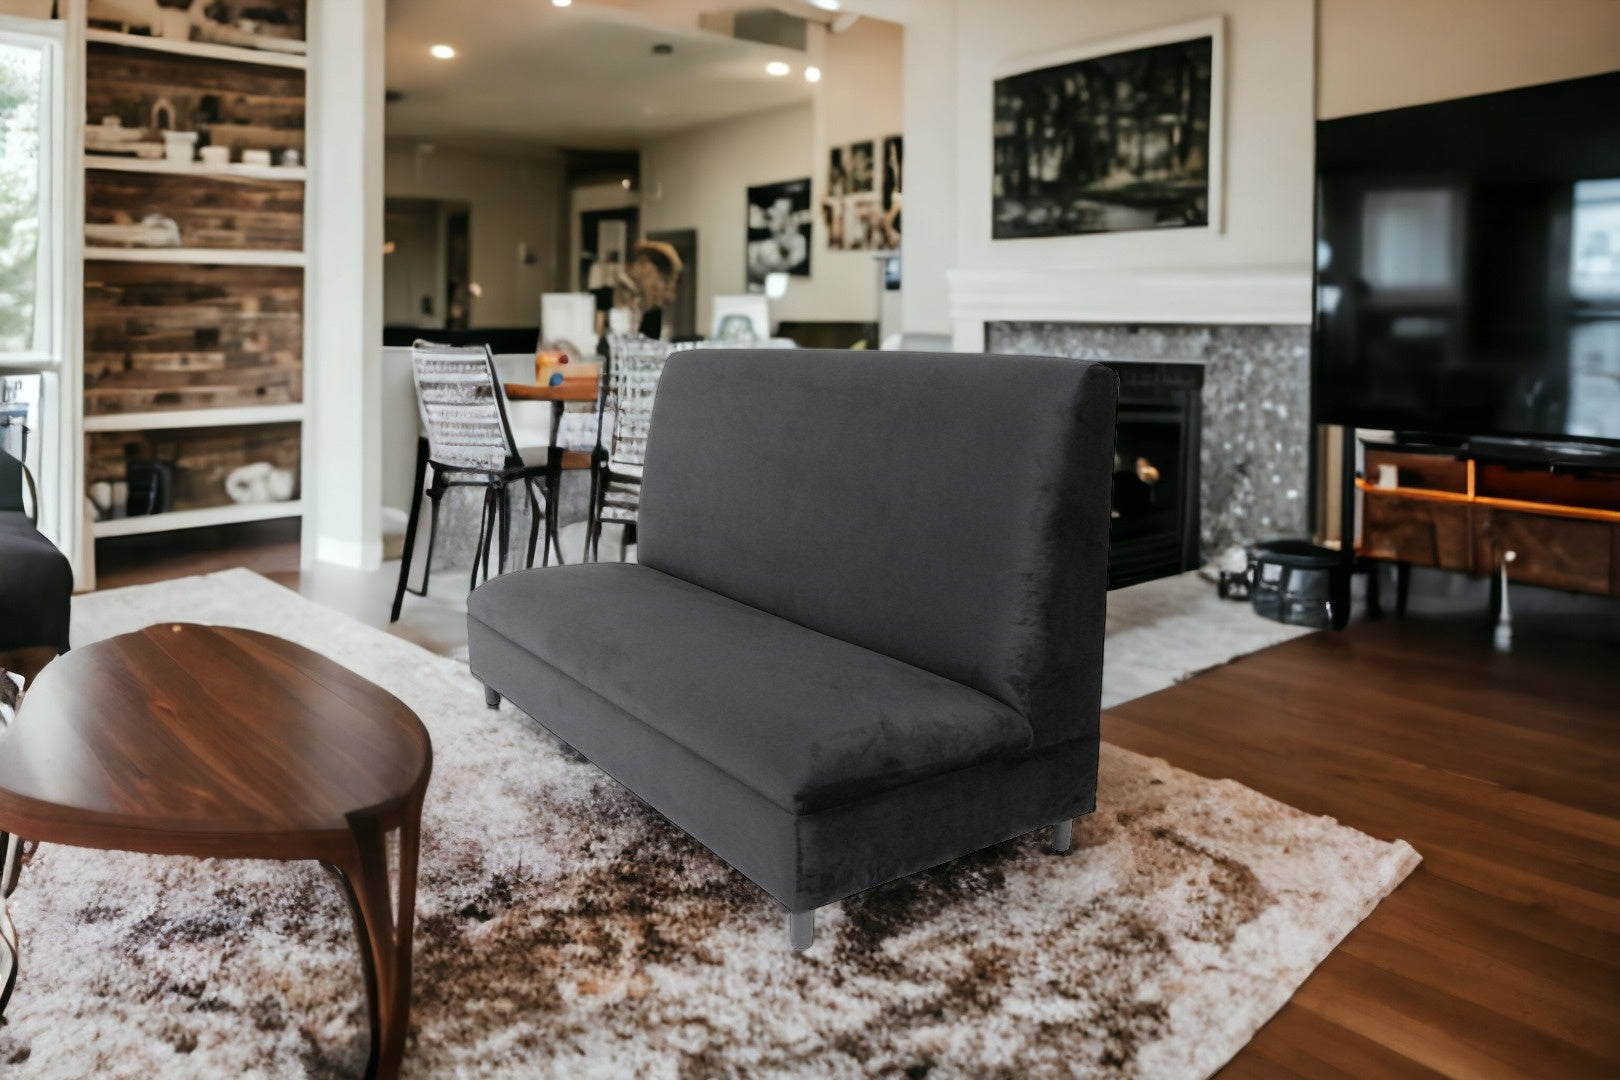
231	104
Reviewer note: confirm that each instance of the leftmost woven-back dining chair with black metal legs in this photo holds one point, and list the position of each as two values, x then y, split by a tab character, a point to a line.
469	444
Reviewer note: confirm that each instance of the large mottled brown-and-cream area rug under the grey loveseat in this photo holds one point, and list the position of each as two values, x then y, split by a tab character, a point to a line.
565	930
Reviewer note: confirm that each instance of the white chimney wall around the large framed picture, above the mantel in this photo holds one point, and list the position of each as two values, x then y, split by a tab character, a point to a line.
957	49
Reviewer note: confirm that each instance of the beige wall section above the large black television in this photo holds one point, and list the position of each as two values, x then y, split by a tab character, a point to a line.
1386	54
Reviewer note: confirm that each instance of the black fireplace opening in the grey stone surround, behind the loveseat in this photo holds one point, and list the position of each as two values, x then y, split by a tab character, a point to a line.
1156	483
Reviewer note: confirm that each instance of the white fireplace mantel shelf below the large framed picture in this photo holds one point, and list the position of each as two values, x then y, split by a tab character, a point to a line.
1263	297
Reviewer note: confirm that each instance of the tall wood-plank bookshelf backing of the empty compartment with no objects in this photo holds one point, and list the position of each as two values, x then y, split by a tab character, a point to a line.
174	338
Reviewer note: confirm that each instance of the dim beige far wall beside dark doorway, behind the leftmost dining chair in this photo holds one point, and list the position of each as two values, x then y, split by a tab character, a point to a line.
516	198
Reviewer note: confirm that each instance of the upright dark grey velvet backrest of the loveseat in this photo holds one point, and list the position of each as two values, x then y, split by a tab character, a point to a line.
947	511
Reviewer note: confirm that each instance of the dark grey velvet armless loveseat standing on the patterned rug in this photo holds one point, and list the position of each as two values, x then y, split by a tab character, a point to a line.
866	634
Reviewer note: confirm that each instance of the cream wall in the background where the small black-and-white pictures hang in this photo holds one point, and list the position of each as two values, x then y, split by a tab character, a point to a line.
699	179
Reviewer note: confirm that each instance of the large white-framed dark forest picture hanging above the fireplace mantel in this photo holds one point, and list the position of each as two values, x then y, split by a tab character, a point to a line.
1112	137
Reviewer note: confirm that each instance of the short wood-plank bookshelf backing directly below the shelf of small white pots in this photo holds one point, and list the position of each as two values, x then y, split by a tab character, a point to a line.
211	213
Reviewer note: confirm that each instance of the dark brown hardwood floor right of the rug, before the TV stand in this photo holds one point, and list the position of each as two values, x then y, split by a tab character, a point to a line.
1501	955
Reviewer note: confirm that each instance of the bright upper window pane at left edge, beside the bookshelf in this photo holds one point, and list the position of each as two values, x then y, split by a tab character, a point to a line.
30	229
